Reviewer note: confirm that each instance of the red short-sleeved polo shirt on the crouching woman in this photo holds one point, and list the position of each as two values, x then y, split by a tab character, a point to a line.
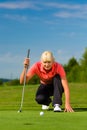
45	76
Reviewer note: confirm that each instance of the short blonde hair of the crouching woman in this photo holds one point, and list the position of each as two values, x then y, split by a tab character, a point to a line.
47	56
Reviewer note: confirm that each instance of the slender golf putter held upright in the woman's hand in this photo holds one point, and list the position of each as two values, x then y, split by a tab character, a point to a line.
22	99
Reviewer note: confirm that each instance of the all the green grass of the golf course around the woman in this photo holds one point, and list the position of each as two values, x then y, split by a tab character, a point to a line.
30	119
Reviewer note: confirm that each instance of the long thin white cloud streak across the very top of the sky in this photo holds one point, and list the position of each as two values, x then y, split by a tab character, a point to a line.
39	5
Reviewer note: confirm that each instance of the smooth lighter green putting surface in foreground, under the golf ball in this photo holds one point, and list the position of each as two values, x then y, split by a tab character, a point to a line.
31	120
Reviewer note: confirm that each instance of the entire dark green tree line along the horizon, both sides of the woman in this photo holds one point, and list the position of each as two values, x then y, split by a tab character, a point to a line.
76	71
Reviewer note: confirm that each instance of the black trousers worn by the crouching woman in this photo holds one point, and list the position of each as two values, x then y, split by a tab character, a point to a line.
44	92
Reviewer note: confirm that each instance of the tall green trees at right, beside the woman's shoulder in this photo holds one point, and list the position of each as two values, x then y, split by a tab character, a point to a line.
77	70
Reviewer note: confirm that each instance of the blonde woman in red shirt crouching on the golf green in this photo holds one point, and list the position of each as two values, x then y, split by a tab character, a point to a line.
53	82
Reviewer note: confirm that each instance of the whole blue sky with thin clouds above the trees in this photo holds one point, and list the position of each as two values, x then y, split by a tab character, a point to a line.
59	26
